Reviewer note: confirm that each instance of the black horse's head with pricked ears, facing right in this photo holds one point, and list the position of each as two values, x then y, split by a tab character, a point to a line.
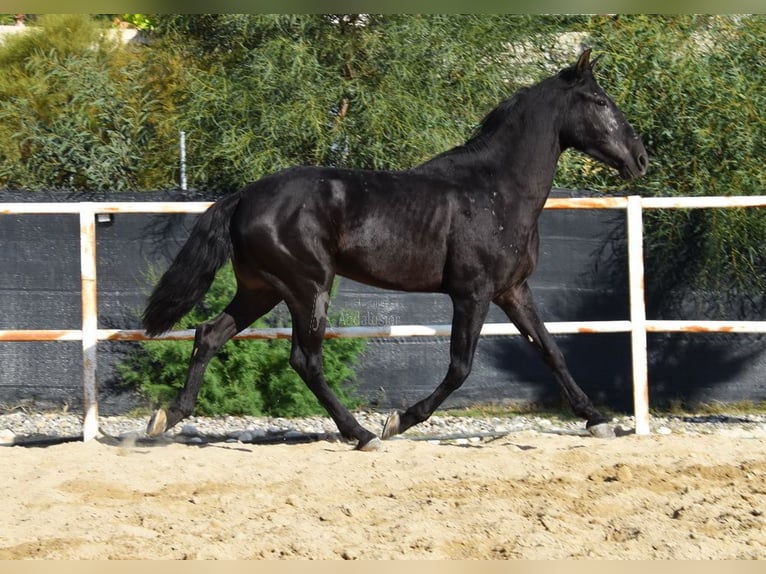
596	126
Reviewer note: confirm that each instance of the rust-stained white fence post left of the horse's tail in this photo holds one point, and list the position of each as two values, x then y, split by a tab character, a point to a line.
89	319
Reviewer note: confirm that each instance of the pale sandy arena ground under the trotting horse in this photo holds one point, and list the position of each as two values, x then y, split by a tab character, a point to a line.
526	495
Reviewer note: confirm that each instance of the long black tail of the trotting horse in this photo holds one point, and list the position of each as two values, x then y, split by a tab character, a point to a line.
192	272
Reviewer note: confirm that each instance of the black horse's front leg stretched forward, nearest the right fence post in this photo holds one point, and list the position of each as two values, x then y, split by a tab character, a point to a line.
520	308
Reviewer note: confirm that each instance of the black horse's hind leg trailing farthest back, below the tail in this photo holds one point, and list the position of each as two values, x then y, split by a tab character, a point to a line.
244	309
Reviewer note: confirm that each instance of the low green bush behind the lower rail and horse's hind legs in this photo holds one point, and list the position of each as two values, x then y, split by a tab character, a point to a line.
247	377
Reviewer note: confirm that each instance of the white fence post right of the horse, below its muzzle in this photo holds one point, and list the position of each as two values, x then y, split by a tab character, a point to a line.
635	230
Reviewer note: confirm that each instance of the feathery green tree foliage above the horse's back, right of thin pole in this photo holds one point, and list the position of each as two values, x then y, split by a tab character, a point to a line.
364	91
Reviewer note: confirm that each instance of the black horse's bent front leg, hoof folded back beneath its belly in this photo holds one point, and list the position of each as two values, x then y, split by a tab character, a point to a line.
468	318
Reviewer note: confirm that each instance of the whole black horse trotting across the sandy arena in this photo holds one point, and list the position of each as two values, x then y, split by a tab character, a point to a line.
464	223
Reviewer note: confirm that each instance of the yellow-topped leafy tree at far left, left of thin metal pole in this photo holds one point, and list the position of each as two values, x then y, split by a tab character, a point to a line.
79	111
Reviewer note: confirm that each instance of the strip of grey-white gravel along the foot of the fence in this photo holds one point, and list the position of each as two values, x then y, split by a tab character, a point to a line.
49	427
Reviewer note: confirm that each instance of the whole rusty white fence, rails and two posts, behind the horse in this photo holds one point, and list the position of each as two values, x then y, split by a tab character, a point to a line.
638	325
